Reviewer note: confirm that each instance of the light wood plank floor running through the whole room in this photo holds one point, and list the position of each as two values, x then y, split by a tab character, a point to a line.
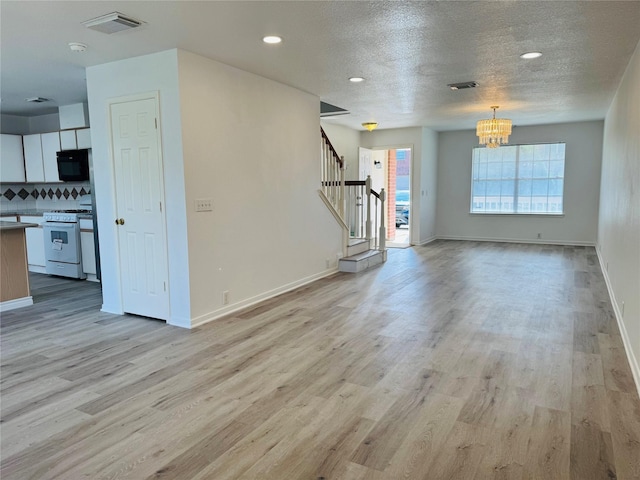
456	360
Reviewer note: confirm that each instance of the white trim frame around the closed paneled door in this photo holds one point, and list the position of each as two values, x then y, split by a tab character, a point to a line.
155	96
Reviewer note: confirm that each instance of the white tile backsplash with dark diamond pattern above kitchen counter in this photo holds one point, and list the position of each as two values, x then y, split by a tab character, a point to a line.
56	196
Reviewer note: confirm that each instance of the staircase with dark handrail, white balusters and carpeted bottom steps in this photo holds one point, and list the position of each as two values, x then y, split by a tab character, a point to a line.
358	209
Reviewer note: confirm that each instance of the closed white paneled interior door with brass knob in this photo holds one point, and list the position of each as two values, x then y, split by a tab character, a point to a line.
140	204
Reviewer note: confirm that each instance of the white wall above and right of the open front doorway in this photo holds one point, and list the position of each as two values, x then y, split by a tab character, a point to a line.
423	173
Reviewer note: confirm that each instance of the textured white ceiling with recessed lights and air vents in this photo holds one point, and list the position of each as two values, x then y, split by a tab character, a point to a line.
407	51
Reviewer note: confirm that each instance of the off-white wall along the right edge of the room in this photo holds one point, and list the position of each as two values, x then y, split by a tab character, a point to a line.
619	223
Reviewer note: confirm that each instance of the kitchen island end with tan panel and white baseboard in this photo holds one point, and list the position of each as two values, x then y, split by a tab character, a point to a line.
14	276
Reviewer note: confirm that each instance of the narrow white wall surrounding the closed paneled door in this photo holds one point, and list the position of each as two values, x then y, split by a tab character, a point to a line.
150	73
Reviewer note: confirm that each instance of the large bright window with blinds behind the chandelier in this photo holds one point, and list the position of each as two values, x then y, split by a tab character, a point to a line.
525	179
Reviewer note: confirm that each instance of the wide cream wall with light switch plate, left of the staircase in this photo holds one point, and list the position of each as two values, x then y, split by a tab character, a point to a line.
252	146
